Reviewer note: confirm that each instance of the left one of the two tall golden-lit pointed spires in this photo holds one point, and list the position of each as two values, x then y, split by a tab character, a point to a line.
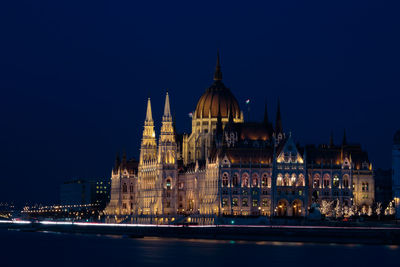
148	149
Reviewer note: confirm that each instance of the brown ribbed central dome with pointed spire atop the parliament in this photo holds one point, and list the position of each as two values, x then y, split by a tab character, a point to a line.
217	98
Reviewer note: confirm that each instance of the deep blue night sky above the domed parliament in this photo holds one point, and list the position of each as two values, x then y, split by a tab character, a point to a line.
75	76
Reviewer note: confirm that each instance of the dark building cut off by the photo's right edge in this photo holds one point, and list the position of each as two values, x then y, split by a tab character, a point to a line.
396	172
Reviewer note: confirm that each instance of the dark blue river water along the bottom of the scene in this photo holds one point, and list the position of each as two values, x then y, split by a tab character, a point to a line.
56	249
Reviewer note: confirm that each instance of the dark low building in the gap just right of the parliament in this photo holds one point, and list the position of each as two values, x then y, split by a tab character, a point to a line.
383	186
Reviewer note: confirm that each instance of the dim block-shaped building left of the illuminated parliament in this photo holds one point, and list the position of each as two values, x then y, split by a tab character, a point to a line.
83	192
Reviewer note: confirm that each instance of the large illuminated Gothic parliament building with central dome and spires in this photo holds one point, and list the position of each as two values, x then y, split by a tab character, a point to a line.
227	166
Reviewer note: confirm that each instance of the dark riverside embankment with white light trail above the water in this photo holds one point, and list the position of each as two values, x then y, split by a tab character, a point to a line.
280	233
